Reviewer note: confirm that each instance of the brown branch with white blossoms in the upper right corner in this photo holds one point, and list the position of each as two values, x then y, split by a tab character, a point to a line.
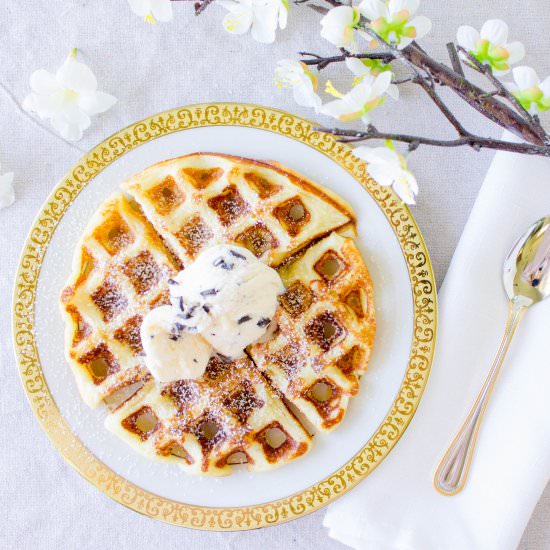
394	27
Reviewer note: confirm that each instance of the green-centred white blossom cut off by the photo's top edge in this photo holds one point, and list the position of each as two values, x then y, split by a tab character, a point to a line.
393	20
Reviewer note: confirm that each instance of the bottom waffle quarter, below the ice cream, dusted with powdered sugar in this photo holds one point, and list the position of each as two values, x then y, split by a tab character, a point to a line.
229	416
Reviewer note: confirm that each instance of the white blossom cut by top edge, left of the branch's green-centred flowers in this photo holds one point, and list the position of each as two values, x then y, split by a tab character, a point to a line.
261	17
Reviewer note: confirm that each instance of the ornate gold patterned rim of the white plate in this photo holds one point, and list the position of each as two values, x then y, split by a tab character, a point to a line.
305	501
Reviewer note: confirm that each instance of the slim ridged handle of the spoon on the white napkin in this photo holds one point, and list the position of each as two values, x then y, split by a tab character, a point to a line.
452	471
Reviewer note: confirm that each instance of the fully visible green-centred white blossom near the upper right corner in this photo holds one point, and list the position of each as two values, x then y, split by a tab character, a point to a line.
490	46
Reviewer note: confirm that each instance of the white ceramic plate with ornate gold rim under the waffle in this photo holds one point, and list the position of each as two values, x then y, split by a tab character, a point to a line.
384	230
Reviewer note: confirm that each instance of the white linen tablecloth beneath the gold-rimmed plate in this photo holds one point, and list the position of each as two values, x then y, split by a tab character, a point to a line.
44	504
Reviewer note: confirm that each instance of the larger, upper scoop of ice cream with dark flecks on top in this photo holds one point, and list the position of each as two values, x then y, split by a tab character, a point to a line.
228	296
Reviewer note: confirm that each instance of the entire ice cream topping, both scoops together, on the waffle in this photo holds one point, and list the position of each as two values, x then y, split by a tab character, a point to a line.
223	302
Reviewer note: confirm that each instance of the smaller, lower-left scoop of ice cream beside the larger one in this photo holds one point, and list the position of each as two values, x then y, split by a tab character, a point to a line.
171	353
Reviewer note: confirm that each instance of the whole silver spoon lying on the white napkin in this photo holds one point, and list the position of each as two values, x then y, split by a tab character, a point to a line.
526	281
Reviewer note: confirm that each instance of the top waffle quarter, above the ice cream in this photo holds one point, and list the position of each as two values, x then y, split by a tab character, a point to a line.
204	199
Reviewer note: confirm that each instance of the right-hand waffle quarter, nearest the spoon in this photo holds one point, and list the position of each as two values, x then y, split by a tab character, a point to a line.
326	330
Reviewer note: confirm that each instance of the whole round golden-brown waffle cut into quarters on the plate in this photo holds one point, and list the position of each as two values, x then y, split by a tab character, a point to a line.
258	410
